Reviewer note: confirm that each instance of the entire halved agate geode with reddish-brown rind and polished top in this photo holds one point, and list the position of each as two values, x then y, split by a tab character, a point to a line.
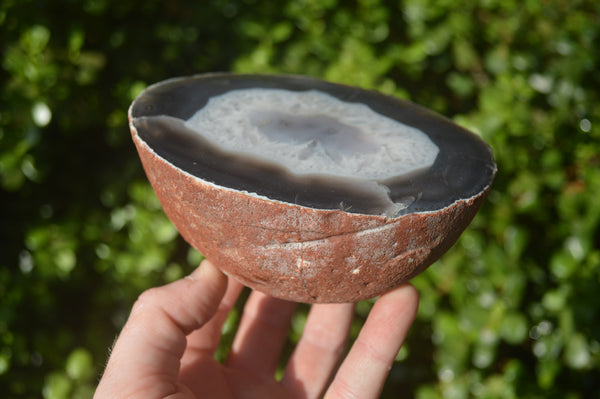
307	190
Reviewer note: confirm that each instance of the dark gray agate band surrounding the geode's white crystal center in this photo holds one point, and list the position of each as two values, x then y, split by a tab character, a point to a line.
464	166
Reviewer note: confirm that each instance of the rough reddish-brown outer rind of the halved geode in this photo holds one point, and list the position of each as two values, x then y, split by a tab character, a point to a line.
296	252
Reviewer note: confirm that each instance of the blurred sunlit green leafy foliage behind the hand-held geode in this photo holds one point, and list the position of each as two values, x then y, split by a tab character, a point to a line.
512	311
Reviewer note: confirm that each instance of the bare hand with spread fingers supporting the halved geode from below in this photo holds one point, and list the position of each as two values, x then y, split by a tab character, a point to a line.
166	349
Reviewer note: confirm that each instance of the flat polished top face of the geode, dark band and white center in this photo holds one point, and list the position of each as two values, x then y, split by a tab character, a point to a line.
273	137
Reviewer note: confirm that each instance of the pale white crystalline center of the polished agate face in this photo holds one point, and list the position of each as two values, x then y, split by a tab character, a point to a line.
313	133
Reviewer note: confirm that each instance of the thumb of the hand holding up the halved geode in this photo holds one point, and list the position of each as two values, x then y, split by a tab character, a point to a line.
146	358
